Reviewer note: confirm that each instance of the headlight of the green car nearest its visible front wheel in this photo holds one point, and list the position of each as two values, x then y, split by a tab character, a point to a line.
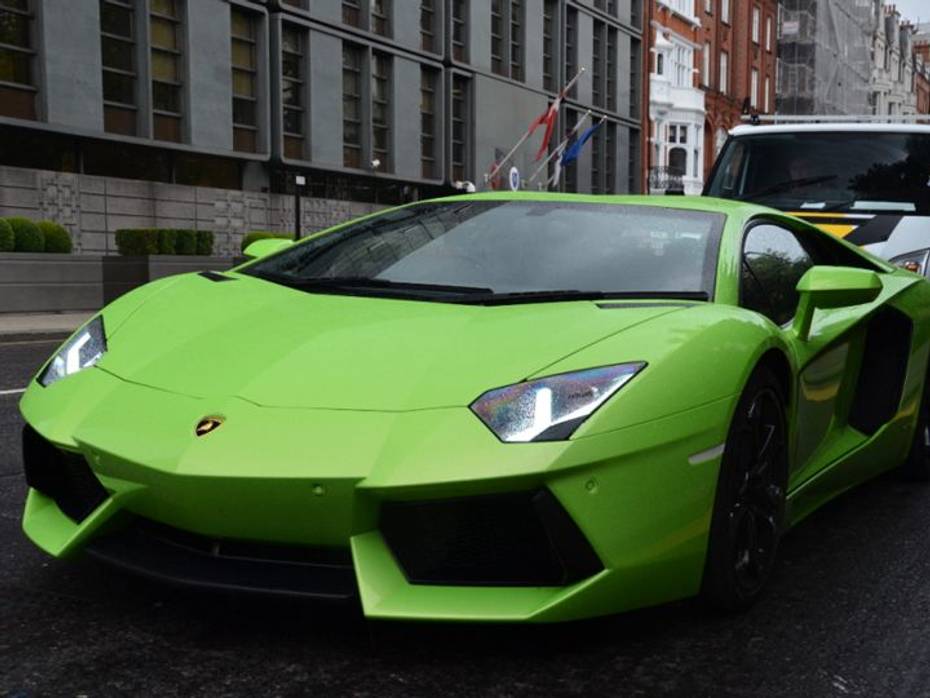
550	409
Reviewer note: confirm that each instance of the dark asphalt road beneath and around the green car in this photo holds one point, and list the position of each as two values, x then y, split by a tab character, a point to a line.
848	614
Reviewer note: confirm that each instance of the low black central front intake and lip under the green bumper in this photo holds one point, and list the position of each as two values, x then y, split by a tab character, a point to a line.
183	558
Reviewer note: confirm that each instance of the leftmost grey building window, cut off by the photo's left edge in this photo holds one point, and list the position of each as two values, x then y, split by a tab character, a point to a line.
18	94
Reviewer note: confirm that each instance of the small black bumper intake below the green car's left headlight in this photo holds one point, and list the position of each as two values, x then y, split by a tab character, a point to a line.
61	475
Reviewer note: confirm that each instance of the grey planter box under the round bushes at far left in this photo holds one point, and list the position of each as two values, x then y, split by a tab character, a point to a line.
41	283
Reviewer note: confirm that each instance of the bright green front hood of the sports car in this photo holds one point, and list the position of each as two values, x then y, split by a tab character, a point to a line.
279	347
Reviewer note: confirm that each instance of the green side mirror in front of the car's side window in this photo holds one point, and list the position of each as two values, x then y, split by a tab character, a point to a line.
833	287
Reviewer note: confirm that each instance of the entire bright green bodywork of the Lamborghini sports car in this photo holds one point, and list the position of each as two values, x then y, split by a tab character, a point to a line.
335	404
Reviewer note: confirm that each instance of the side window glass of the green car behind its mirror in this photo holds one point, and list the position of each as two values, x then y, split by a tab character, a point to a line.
773	263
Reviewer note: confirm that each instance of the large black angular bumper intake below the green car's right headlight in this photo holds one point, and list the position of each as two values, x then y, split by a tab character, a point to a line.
520	539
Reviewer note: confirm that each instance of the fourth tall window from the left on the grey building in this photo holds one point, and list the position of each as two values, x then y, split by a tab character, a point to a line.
245	79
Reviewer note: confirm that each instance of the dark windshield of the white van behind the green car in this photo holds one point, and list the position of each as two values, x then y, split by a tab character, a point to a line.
816	171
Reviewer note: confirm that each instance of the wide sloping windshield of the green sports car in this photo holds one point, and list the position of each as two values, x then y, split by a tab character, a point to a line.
474	250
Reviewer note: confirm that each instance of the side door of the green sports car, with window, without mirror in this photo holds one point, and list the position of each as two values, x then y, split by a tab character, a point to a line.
774	260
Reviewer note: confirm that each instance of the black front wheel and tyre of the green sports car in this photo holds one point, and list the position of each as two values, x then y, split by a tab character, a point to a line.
749	507
